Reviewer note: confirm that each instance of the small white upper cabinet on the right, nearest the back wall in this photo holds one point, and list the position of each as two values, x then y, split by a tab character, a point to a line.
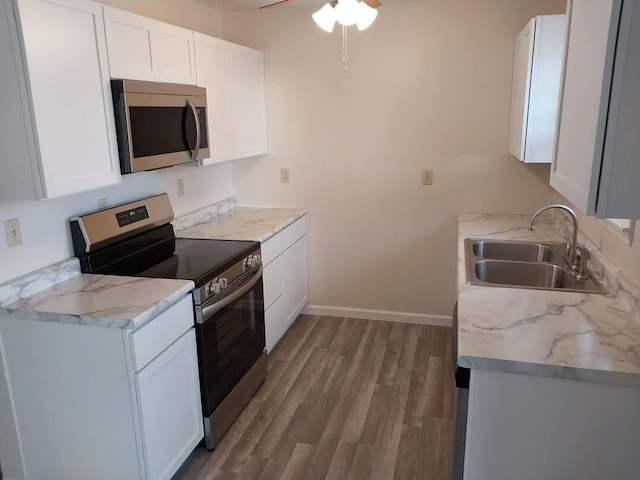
536	84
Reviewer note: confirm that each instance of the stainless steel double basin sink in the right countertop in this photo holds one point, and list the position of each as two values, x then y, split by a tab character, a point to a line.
520	264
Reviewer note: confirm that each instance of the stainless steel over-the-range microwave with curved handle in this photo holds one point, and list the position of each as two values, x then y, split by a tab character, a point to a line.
159	124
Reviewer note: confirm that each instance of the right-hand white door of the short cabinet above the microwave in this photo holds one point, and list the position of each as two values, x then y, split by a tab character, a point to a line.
173	48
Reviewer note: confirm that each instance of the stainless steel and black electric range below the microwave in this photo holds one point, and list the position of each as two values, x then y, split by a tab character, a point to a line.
137	239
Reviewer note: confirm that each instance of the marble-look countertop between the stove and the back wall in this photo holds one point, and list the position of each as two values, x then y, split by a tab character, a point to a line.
236	222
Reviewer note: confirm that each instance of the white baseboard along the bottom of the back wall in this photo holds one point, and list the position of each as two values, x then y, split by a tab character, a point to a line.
386	316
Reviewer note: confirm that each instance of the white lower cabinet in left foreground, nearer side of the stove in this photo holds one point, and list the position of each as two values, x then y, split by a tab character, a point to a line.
100	402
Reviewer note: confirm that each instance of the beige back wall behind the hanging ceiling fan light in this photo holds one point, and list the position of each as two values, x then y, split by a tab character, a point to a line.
429	86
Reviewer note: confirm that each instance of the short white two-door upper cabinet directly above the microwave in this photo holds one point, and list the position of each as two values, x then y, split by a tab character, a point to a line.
141	48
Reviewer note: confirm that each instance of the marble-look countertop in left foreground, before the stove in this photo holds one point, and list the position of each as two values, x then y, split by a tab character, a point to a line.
95	300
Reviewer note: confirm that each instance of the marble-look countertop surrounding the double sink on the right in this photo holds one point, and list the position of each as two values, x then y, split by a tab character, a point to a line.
574	336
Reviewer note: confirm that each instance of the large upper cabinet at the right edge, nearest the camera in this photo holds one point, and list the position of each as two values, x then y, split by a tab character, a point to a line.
596	165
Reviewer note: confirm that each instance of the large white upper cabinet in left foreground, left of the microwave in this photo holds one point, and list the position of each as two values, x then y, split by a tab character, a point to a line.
58	133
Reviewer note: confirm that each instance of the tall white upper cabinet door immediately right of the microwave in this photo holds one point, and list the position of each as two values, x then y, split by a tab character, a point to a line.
210	73
